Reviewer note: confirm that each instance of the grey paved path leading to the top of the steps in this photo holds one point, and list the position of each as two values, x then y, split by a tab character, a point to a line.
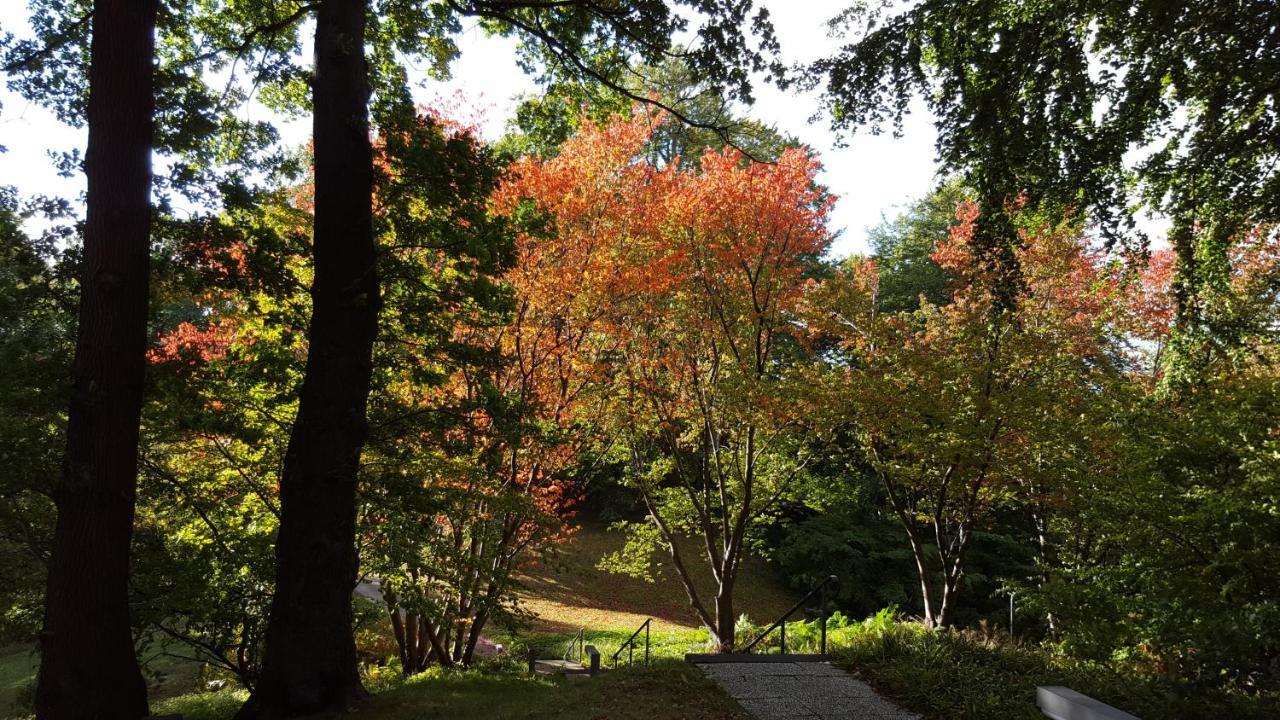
802	691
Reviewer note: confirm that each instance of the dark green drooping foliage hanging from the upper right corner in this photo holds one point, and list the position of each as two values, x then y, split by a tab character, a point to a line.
1044	103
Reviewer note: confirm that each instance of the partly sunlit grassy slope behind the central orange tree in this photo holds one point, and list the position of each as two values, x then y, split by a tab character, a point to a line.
572	594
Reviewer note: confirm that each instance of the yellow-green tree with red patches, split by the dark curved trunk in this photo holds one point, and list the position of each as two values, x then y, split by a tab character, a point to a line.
232	300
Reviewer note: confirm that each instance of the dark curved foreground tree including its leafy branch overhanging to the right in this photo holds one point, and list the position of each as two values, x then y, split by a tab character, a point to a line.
312	604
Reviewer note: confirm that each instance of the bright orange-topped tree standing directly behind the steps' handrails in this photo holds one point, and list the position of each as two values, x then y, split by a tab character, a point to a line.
705	267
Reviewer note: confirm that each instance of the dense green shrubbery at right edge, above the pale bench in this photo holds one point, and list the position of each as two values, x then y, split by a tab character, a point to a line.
1178	569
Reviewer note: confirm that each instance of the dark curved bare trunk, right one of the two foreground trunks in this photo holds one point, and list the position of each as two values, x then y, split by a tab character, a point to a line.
310	657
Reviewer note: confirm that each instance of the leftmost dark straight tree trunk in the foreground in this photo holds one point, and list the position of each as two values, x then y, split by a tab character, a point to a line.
88	668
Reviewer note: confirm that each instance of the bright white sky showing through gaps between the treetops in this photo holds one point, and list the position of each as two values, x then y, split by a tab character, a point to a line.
872	176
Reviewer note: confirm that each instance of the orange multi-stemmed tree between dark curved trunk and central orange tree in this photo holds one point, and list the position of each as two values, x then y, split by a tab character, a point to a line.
490	494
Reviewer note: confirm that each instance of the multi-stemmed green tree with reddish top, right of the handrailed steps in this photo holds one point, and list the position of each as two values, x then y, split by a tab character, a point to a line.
964	408
